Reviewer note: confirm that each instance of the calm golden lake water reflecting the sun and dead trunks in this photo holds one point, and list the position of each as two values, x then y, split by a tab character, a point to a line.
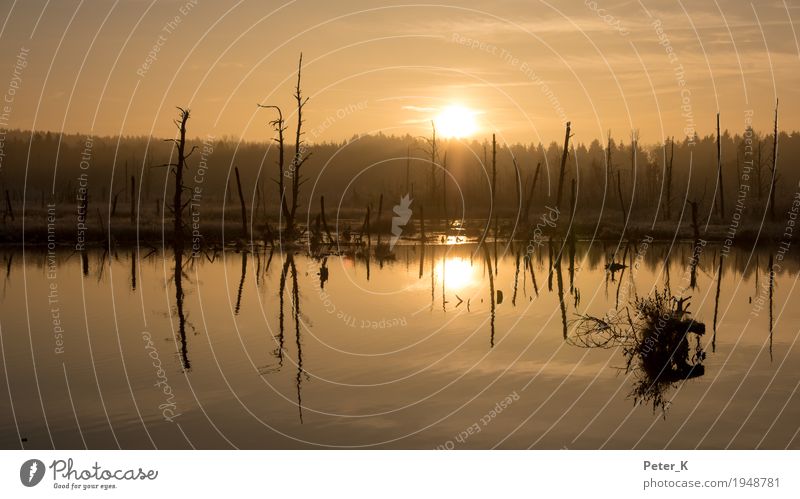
446	346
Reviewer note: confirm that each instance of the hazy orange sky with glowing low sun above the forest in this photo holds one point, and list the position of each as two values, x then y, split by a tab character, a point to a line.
518	68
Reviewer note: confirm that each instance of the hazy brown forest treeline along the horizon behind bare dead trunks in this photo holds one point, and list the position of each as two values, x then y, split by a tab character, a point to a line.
617	175
